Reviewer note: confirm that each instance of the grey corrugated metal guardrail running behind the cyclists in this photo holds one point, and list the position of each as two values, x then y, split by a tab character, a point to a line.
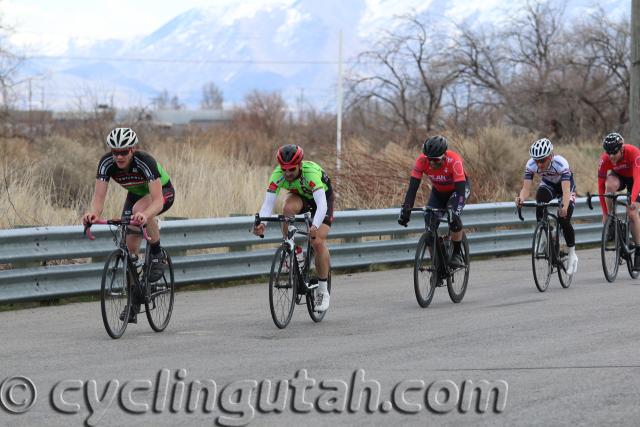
358	239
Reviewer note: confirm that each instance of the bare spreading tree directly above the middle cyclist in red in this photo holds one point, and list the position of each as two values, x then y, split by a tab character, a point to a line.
411	72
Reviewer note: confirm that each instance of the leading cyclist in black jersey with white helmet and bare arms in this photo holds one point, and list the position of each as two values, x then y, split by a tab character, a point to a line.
149	192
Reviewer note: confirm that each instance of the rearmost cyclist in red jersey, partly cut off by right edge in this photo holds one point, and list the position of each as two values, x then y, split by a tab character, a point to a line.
619	169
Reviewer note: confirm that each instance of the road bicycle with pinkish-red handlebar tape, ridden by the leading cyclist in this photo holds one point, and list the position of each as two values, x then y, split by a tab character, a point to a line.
125	283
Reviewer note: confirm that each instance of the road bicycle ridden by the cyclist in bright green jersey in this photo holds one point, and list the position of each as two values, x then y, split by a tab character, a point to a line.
287	288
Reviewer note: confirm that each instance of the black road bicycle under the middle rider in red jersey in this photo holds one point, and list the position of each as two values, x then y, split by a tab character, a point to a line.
431	267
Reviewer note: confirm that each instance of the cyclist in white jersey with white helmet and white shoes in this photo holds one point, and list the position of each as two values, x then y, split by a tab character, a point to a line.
556	182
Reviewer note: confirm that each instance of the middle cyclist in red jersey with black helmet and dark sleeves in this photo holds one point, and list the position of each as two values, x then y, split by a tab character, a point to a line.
450	187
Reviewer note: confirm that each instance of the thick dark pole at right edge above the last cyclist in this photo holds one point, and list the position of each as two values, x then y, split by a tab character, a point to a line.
634	89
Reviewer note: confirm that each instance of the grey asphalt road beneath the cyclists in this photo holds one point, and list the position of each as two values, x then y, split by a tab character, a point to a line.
563	357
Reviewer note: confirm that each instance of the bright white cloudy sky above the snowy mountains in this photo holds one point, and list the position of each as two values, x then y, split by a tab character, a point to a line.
50	23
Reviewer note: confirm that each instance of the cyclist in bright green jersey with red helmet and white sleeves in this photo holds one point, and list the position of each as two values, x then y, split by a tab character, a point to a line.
309	191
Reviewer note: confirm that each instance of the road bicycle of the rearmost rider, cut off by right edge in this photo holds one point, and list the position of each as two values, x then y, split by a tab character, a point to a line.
616	245
